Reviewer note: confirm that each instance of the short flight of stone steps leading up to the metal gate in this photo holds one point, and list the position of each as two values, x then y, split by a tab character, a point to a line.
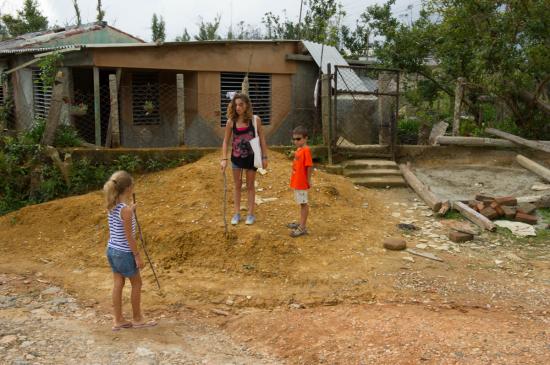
373	173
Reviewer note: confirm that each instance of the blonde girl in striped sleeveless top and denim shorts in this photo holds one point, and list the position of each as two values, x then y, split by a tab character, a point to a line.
122	249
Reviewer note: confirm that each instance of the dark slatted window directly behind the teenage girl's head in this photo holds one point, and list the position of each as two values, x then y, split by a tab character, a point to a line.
259	92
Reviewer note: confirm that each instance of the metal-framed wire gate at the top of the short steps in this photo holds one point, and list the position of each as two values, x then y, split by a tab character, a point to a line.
364	110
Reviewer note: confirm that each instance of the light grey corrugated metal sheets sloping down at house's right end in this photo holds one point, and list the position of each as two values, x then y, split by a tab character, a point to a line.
347	78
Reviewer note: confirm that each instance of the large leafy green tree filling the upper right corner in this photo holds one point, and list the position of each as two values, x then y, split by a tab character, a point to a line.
500	48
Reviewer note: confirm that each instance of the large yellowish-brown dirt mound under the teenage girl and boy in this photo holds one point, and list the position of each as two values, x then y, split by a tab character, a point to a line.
180	211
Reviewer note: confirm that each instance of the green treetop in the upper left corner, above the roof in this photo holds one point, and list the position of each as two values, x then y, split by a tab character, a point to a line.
29	19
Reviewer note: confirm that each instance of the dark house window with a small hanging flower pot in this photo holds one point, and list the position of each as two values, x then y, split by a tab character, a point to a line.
145	98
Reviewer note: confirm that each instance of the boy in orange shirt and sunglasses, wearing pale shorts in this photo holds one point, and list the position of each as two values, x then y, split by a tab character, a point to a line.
300	179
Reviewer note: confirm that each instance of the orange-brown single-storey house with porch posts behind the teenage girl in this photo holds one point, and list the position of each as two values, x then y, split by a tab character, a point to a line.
173	94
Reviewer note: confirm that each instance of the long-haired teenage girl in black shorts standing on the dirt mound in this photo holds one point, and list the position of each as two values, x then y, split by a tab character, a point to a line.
240	130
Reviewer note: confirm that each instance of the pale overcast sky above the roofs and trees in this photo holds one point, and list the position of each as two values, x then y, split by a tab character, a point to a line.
134	16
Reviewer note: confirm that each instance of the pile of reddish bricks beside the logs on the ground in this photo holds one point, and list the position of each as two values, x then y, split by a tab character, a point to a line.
504	207
